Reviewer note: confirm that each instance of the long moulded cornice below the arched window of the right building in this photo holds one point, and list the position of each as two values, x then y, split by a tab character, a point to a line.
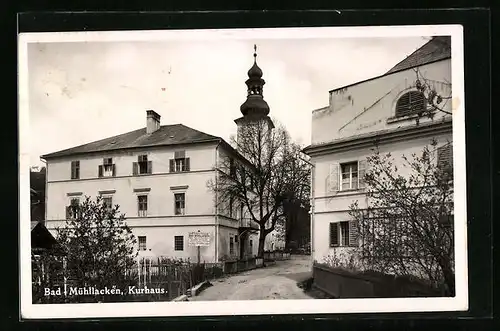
381	137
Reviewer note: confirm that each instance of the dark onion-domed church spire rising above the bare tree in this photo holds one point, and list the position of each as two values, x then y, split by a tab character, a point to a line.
255	109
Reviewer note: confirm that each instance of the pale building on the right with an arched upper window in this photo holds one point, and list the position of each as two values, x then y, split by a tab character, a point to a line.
379	110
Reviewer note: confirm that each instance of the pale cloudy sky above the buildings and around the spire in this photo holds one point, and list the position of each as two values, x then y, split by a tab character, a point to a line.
80	92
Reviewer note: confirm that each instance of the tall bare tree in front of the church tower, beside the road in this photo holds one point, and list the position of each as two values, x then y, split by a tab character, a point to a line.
268	173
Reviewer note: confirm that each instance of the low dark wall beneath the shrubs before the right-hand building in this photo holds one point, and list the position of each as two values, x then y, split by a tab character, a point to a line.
340	283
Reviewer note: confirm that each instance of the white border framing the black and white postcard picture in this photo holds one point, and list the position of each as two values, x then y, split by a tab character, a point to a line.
254	307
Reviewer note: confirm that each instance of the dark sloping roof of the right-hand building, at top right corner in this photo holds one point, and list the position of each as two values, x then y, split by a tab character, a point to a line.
438	48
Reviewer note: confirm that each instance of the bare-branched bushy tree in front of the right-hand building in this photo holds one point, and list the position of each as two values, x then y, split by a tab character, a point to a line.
407	228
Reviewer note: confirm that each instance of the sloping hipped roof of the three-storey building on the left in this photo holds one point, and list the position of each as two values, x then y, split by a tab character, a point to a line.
166	135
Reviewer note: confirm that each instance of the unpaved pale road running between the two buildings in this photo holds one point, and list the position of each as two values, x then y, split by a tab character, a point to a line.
273	282
